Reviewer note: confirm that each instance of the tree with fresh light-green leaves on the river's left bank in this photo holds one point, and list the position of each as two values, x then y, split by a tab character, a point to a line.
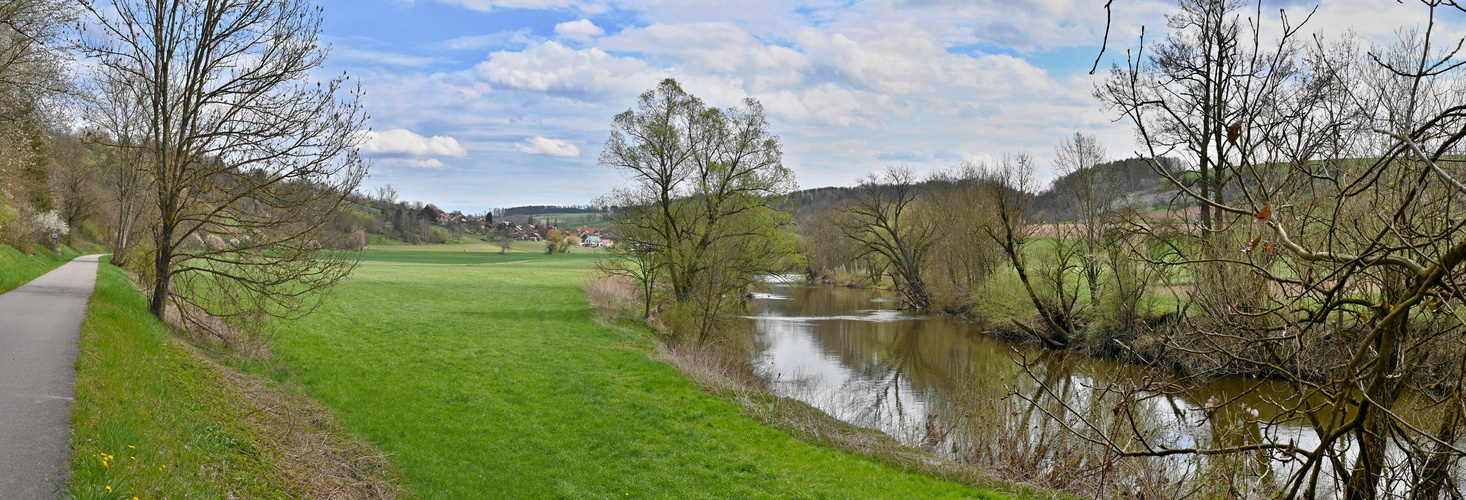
701	215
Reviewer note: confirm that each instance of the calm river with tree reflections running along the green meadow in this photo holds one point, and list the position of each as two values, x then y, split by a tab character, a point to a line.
945	386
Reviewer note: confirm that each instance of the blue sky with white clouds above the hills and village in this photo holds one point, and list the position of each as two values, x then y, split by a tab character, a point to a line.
499	103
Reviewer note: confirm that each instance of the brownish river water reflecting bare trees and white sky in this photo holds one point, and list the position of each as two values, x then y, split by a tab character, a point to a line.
855	357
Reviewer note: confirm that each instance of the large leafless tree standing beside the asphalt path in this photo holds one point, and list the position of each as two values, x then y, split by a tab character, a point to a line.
241	146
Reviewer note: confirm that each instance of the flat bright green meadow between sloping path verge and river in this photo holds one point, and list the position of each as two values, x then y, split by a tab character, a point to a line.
486	378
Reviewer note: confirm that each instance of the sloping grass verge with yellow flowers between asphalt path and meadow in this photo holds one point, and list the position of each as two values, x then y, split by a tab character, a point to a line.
158	420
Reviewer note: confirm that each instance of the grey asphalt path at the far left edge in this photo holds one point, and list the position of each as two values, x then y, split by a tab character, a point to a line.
40	323
